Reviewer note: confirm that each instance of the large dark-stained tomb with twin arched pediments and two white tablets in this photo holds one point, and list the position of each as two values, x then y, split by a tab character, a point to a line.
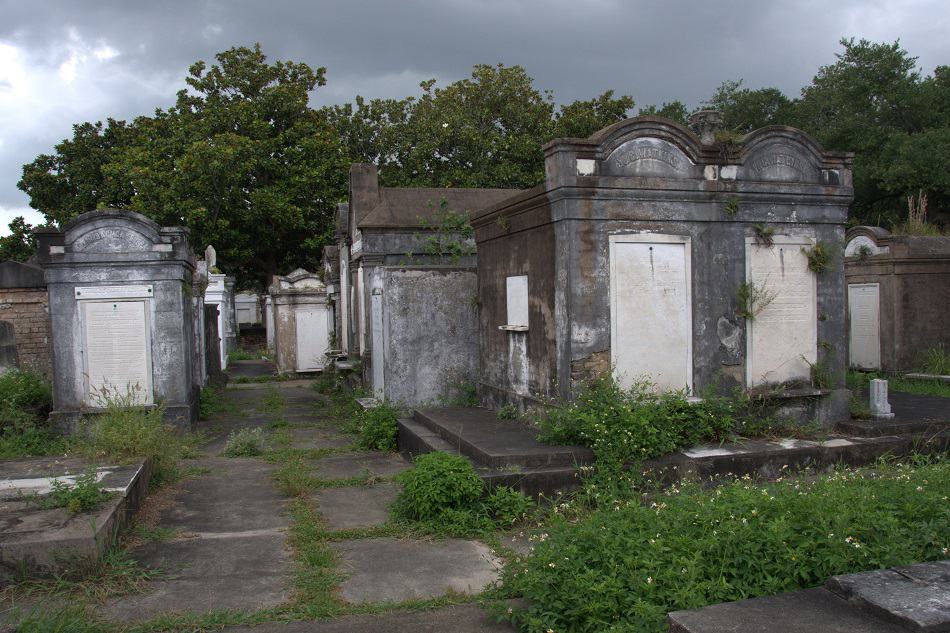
639	253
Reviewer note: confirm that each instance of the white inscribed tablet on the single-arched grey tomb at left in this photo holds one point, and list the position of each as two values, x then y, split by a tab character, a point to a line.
116	350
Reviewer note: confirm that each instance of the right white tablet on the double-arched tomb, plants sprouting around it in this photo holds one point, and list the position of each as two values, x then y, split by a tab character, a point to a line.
782	338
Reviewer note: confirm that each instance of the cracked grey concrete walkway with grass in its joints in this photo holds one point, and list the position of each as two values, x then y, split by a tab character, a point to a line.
224	534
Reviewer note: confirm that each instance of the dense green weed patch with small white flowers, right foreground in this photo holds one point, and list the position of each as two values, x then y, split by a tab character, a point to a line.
618	557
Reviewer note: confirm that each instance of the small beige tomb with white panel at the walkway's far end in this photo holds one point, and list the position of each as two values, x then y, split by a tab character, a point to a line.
301	322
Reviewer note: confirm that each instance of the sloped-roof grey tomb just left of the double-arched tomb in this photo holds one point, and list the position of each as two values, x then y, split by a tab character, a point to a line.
408	311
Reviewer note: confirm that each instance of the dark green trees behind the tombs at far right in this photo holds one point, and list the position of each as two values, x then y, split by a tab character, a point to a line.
872	101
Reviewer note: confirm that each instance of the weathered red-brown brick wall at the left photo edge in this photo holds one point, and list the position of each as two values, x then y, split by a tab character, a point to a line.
28	310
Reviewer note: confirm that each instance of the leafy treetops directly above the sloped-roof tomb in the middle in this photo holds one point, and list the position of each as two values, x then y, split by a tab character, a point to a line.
483	131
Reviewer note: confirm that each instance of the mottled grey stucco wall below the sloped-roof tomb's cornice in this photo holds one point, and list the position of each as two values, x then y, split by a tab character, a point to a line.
430	331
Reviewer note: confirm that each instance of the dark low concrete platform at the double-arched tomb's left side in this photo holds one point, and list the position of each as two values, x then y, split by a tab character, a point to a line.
493	443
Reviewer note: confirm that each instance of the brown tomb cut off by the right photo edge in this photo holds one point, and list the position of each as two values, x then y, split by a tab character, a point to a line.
898	293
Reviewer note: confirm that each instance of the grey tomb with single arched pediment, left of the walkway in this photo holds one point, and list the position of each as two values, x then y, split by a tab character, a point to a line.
121	314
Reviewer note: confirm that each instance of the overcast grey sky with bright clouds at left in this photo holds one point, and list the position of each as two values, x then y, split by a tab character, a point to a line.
67	61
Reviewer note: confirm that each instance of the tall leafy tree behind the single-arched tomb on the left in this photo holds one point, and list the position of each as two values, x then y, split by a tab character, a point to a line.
240	159
